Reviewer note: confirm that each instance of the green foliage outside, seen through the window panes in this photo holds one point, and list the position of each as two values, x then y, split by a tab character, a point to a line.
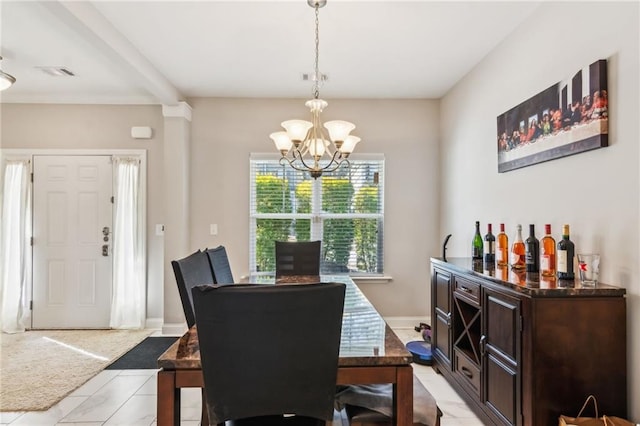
340	235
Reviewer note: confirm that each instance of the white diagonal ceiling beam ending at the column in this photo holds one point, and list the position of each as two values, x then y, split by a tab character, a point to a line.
85	19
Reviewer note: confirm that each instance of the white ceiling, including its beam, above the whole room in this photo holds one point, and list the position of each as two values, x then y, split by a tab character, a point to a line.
160	52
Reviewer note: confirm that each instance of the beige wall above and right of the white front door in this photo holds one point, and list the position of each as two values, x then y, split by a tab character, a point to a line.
92	127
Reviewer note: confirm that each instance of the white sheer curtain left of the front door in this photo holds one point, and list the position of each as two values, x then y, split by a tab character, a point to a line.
15	254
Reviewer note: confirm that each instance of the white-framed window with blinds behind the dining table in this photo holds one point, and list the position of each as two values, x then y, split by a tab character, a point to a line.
343	209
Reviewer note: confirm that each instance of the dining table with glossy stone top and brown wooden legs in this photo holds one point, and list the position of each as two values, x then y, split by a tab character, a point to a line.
370	353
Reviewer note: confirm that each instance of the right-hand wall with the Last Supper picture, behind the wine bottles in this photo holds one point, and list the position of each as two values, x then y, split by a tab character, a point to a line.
598	192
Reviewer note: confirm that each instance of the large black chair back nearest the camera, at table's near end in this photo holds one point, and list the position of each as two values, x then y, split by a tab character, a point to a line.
269	353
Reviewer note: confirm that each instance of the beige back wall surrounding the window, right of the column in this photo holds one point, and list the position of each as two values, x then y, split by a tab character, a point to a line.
225	131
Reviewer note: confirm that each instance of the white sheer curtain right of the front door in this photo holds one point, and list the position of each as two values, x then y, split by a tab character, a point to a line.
128	306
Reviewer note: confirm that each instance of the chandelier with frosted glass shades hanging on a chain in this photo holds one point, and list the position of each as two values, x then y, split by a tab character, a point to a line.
310	146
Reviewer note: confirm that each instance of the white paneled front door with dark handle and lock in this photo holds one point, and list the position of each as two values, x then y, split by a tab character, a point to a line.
72	224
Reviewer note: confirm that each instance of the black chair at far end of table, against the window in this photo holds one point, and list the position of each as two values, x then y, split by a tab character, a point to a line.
297	258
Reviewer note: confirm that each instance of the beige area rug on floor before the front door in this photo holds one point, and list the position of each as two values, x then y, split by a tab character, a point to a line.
39	368
